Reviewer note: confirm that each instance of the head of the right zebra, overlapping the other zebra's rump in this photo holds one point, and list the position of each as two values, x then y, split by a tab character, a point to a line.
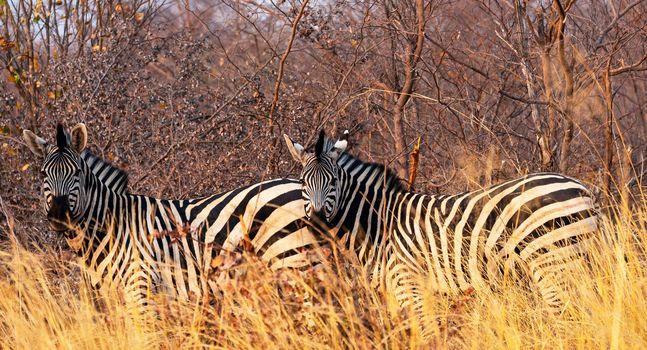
320	175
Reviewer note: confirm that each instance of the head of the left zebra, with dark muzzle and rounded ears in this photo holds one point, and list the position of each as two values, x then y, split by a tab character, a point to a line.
63	178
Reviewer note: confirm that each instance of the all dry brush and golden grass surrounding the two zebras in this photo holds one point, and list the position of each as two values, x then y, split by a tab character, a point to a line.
192	97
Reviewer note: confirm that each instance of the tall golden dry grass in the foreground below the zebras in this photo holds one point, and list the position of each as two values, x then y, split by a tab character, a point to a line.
45	305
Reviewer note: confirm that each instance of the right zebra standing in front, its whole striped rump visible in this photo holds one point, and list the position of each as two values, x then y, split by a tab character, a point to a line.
539	223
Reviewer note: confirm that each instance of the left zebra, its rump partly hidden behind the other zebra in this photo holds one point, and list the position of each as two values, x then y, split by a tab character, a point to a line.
145	243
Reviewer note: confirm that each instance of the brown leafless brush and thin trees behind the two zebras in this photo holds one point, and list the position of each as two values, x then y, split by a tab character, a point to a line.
181	95
